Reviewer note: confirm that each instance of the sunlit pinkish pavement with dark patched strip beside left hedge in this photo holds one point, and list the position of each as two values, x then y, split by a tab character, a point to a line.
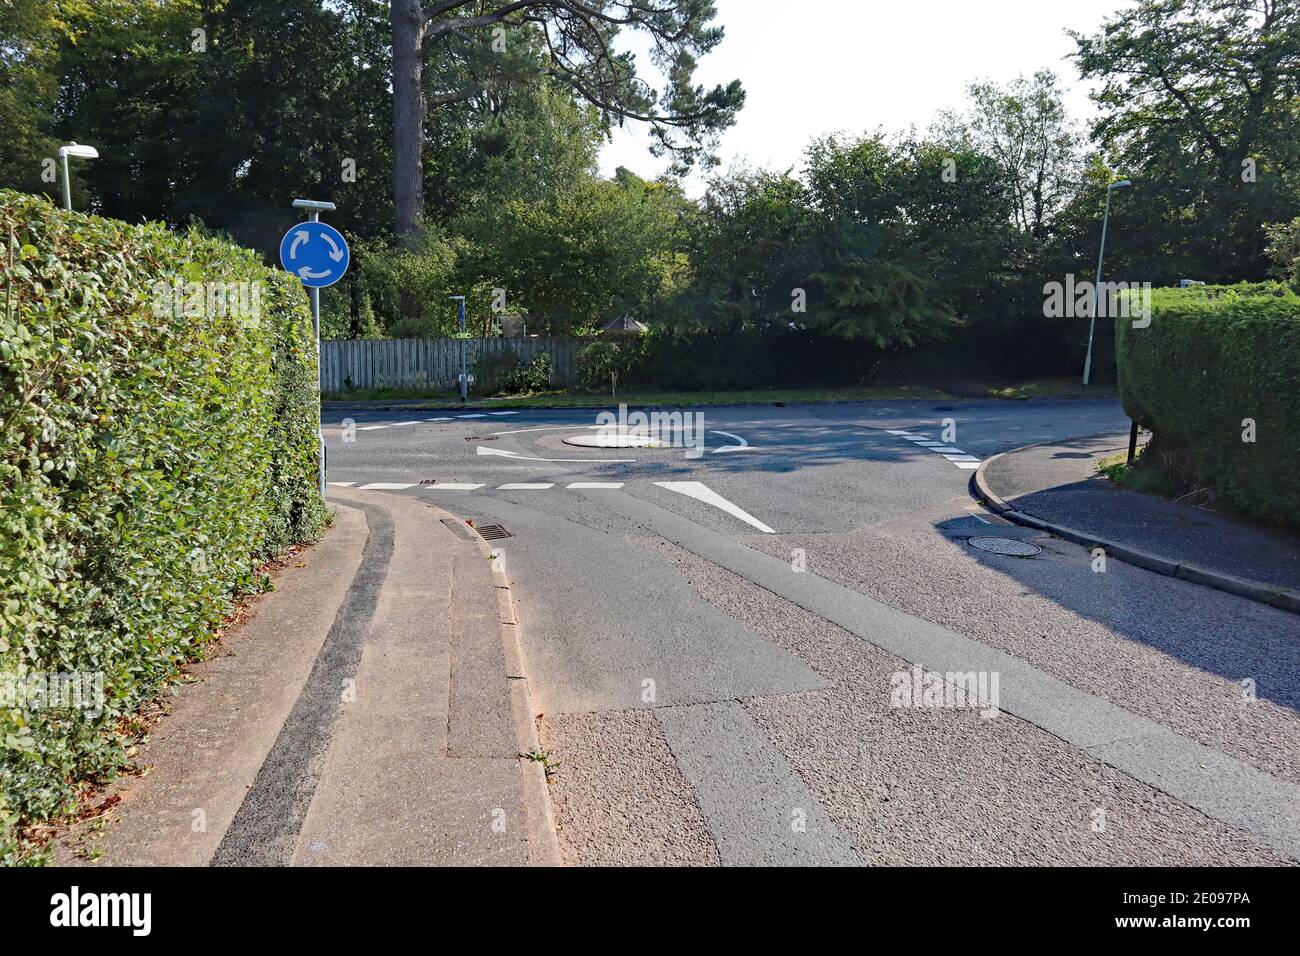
374	711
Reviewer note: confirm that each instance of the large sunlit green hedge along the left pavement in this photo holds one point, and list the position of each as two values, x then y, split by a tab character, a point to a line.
155	451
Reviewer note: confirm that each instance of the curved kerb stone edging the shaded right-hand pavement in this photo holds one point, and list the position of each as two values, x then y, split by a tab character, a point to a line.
1275	596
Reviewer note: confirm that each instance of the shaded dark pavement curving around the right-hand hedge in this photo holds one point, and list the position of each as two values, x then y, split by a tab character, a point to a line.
1059	485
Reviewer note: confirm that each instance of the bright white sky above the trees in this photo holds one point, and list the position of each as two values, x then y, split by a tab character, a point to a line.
818	67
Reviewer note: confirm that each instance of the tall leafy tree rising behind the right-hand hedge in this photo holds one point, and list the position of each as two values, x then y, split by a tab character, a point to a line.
1202	109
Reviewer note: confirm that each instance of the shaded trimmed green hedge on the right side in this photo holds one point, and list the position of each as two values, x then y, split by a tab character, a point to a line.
1214	357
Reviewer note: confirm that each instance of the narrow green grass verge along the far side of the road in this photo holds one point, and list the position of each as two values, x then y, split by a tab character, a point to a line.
562	400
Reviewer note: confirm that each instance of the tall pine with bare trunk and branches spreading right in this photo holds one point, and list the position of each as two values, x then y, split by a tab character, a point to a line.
578	37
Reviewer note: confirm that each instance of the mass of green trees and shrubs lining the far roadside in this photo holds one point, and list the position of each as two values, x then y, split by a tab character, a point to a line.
882	258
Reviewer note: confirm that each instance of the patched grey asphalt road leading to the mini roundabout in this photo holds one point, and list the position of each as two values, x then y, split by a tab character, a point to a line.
722	647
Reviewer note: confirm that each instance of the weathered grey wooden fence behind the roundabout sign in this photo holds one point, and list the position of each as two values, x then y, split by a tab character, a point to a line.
430	364
